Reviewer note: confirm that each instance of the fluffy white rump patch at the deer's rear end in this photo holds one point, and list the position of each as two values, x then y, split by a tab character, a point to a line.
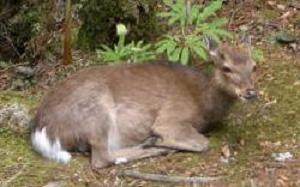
48	149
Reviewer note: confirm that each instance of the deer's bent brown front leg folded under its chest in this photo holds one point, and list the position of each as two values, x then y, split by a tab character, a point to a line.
180	137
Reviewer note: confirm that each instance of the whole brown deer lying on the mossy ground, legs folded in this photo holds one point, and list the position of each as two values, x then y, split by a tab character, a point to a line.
127	112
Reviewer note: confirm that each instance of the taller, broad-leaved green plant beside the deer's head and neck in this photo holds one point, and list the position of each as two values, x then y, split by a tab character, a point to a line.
190	23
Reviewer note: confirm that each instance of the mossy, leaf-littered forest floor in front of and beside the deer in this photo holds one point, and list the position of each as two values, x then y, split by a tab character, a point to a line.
241	149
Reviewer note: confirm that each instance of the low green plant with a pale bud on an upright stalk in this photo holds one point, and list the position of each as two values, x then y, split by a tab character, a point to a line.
132	52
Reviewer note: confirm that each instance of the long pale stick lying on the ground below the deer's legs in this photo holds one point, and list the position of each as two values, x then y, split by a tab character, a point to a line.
165	178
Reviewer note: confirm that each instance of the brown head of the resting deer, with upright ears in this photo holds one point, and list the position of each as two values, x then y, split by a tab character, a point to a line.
235	69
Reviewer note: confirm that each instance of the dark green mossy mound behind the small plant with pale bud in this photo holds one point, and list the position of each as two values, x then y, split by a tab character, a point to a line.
100	18
